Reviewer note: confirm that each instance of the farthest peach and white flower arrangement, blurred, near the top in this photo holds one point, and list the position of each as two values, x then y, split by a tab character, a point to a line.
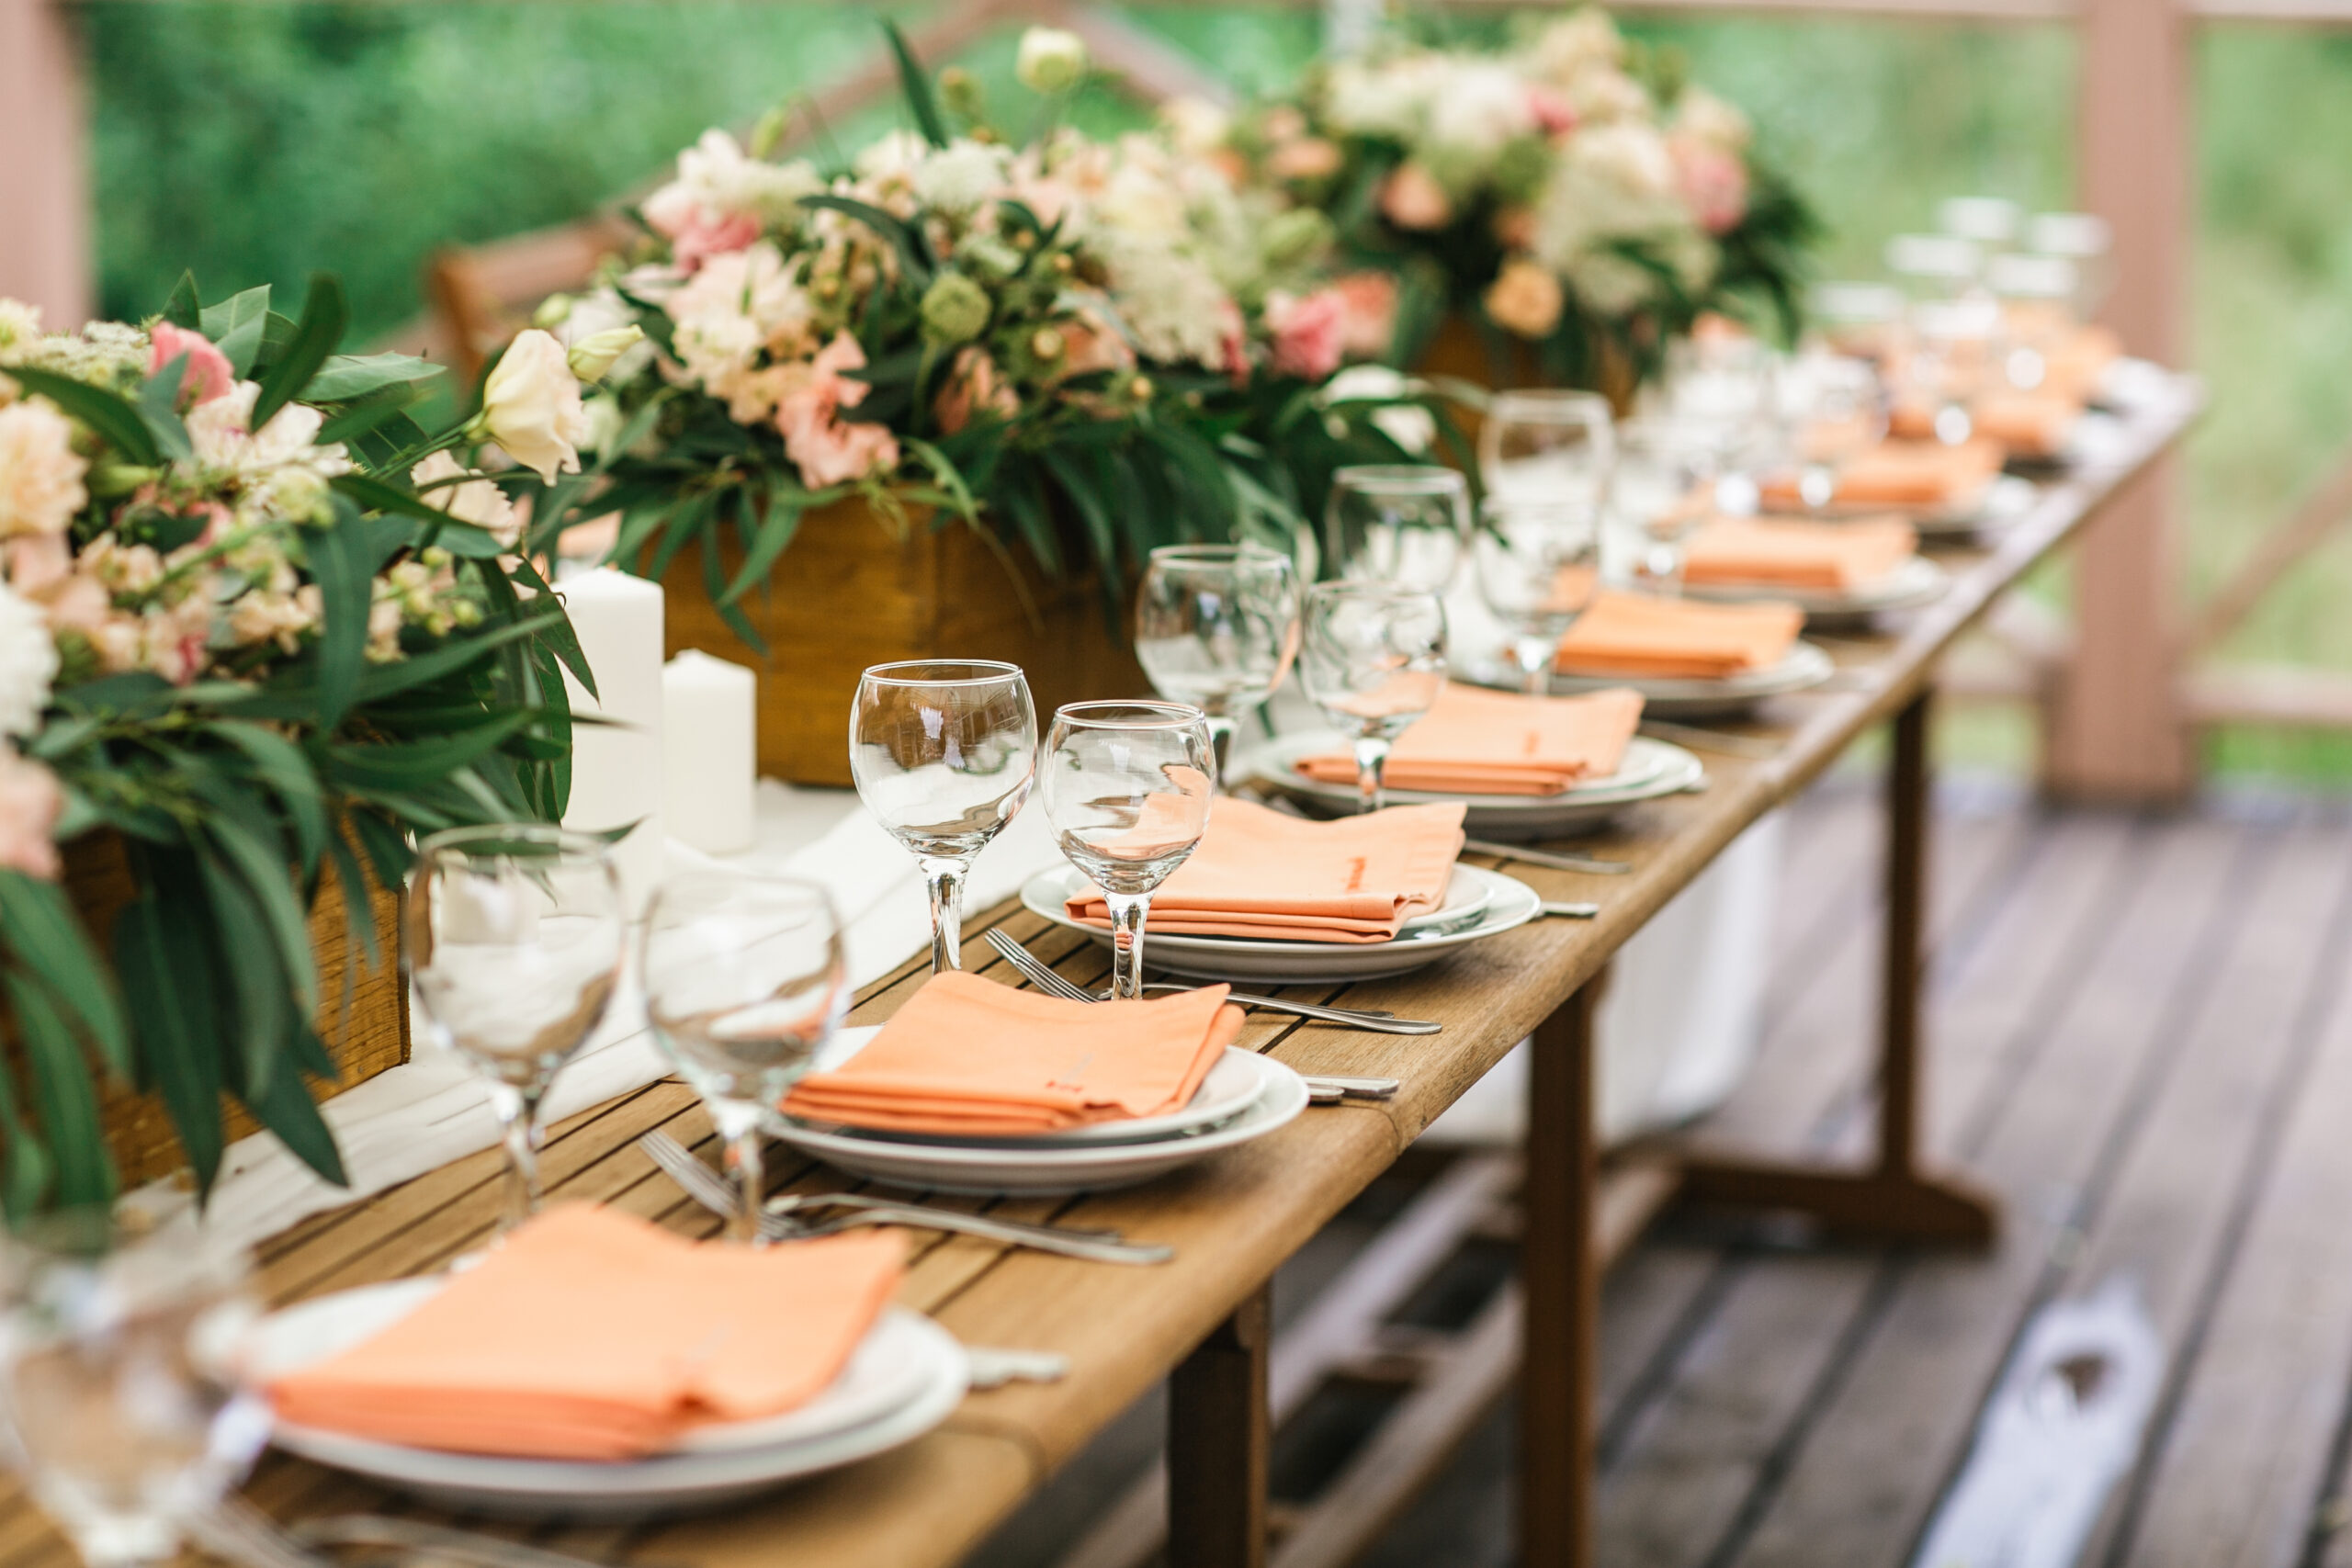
1568	194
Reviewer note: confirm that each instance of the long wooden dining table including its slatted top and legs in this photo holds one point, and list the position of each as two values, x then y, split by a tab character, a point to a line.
1203	1320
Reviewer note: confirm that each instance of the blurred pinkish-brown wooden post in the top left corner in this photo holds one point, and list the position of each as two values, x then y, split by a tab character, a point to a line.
44	163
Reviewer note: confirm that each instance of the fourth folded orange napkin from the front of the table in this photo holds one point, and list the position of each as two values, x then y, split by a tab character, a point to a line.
1495	744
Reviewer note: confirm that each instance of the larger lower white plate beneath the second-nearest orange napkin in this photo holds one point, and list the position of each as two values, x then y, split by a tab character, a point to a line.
989	1170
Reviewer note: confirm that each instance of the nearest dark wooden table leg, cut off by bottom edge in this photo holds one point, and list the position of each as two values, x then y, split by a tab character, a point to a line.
1220	1442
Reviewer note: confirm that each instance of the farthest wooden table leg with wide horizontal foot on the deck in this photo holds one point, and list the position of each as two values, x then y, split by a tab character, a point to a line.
1895	1200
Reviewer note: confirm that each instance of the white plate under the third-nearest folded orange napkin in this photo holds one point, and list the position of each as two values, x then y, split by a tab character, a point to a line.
1250	958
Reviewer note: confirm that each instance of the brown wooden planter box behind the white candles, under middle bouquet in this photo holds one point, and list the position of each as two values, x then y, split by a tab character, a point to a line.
848	594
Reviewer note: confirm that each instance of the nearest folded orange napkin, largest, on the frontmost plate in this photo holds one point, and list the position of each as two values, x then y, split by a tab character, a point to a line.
596	1336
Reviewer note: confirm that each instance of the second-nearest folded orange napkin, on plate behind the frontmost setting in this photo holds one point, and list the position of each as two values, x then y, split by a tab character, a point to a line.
975	1057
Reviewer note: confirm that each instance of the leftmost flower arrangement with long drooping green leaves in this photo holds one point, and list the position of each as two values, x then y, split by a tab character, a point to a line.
262	626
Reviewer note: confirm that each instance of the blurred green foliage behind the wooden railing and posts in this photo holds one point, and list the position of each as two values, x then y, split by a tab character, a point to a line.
260	145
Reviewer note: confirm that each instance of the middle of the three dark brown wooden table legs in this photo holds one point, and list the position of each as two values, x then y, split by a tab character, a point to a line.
1561	1275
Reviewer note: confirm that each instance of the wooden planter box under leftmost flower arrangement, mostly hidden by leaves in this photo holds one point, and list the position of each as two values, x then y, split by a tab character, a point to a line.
363	1040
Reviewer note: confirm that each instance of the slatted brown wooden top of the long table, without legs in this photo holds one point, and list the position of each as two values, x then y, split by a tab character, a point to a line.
1231	1219
